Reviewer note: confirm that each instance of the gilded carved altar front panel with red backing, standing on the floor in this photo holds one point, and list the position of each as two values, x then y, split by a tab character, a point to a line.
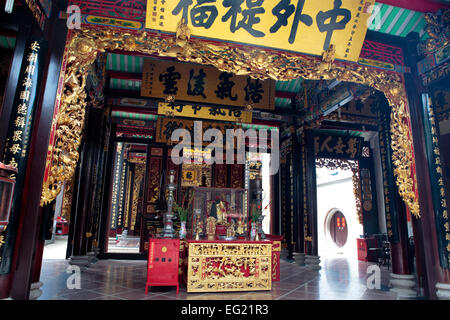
233	266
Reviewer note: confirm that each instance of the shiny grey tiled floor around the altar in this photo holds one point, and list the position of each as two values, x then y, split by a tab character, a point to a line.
339	279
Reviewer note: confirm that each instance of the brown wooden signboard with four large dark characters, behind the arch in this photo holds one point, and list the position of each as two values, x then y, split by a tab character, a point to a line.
205	84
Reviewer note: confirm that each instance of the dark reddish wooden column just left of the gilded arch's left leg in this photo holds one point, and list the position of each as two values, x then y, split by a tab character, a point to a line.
30	211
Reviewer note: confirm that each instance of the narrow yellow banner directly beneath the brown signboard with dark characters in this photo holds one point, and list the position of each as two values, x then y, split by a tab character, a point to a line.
202	112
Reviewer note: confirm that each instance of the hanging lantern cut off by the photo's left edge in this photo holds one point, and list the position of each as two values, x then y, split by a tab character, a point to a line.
6	193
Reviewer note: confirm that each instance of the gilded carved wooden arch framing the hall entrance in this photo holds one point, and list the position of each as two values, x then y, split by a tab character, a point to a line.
84	45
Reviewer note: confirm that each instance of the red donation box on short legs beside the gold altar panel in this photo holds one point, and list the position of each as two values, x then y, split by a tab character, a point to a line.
162	265
